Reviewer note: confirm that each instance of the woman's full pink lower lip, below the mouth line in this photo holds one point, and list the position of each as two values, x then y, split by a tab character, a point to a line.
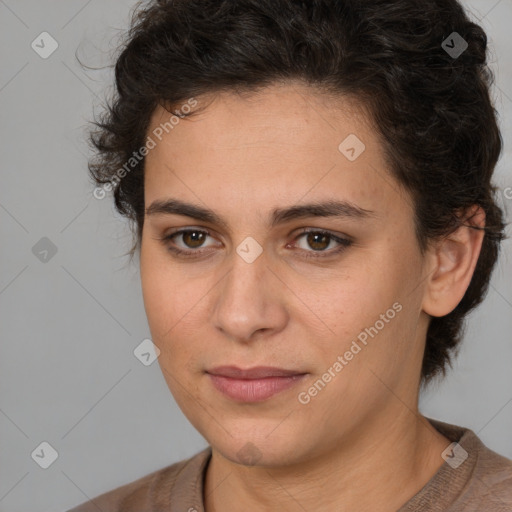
253	390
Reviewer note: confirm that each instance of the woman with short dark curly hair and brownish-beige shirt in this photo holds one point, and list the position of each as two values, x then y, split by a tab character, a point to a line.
310	184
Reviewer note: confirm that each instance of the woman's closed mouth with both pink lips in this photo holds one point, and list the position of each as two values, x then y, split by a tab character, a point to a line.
254	384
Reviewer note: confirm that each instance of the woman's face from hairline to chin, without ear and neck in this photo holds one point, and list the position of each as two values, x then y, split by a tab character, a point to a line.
338	307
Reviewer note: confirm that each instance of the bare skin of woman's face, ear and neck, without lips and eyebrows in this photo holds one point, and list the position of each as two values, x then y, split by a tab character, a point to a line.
360	443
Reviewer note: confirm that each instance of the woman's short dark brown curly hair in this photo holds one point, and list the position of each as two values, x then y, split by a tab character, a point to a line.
431	108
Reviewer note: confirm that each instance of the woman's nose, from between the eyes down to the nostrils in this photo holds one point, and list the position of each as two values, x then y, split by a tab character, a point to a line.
249	300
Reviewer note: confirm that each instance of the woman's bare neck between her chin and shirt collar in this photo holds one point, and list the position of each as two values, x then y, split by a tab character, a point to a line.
378	467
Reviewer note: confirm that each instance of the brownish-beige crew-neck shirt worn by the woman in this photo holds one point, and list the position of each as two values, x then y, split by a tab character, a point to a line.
482	482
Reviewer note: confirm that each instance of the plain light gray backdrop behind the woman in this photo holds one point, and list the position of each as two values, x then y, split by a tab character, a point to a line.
69	325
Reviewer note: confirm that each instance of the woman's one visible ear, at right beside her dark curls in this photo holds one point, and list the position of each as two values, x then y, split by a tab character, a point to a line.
451	262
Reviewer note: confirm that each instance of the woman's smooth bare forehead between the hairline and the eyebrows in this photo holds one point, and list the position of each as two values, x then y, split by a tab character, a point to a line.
278	145
